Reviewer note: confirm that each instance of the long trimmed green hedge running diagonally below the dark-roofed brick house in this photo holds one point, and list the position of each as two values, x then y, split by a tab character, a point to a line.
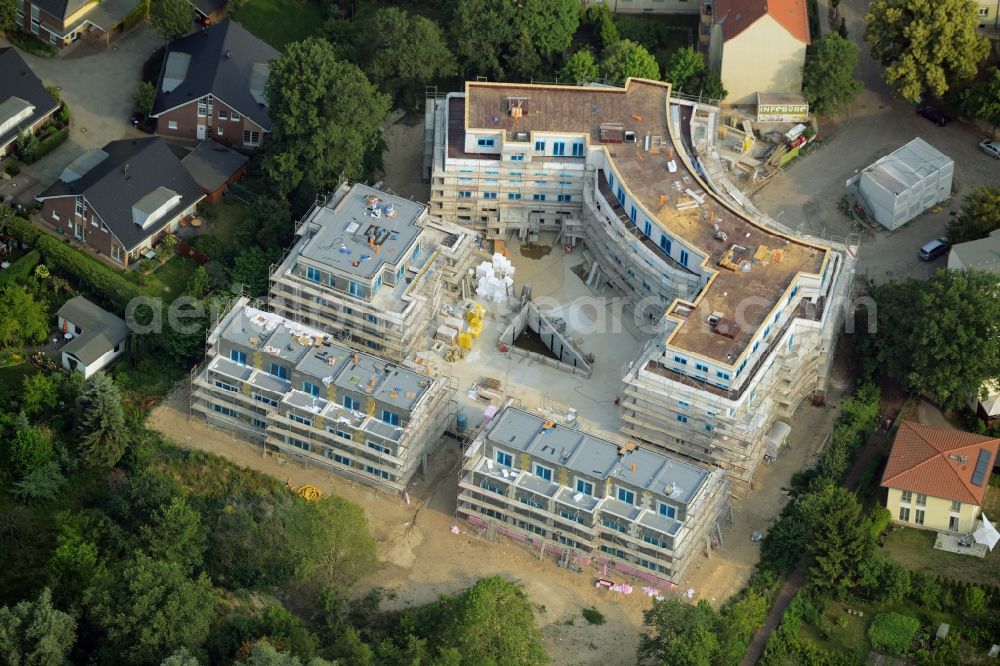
91	276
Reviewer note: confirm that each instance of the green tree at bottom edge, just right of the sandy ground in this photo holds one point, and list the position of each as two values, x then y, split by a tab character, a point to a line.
680	634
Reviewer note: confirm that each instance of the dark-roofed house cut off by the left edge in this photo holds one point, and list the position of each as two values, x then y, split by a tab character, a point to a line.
25	104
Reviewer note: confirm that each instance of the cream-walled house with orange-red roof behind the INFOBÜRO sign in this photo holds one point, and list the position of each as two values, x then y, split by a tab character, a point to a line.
756	45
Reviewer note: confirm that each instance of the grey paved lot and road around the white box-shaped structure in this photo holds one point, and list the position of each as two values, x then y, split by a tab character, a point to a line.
806	195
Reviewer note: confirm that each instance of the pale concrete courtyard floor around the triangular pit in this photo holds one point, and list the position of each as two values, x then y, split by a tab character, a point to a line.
594	317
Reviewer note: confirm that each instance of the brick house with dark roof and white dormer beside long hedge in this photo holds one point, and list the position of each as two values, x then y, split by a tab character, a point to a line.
122	198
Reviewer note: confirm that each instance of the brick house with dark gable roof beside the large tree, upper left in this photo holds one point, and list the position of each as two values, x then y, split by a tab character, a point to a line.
211	86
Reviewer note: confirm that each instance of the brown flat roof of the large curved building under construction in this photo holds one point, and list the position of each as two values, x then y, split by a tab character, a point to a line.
746	259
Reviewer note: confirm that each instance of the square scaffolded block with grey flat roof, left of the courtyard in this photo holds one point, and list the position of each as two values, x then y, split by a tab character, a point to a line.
373	270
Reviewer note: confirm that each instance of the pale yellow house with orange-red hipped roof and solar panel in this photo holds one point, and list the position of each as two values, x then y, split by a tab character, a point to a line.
937	479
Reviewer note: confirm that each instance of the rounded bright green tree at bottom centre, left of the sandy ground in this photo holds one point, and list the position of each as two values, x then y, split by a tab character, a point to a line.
492	623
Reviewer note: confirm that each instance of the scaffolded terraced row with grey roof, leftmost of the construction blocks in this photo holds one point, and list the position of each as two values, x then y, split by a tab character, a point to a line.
306	397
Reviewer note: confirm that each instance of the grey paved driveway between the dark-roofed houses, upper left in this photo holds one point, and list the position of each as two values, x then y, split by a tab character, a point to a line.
98	89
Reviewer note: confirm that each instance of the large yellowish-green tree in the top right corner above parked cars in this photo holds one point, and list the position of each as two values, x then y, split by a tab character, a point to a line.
926	46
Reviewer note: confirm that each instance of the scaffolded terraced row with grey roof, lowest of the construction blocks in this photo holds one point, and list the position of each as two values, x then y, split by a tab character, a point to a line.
588	499
